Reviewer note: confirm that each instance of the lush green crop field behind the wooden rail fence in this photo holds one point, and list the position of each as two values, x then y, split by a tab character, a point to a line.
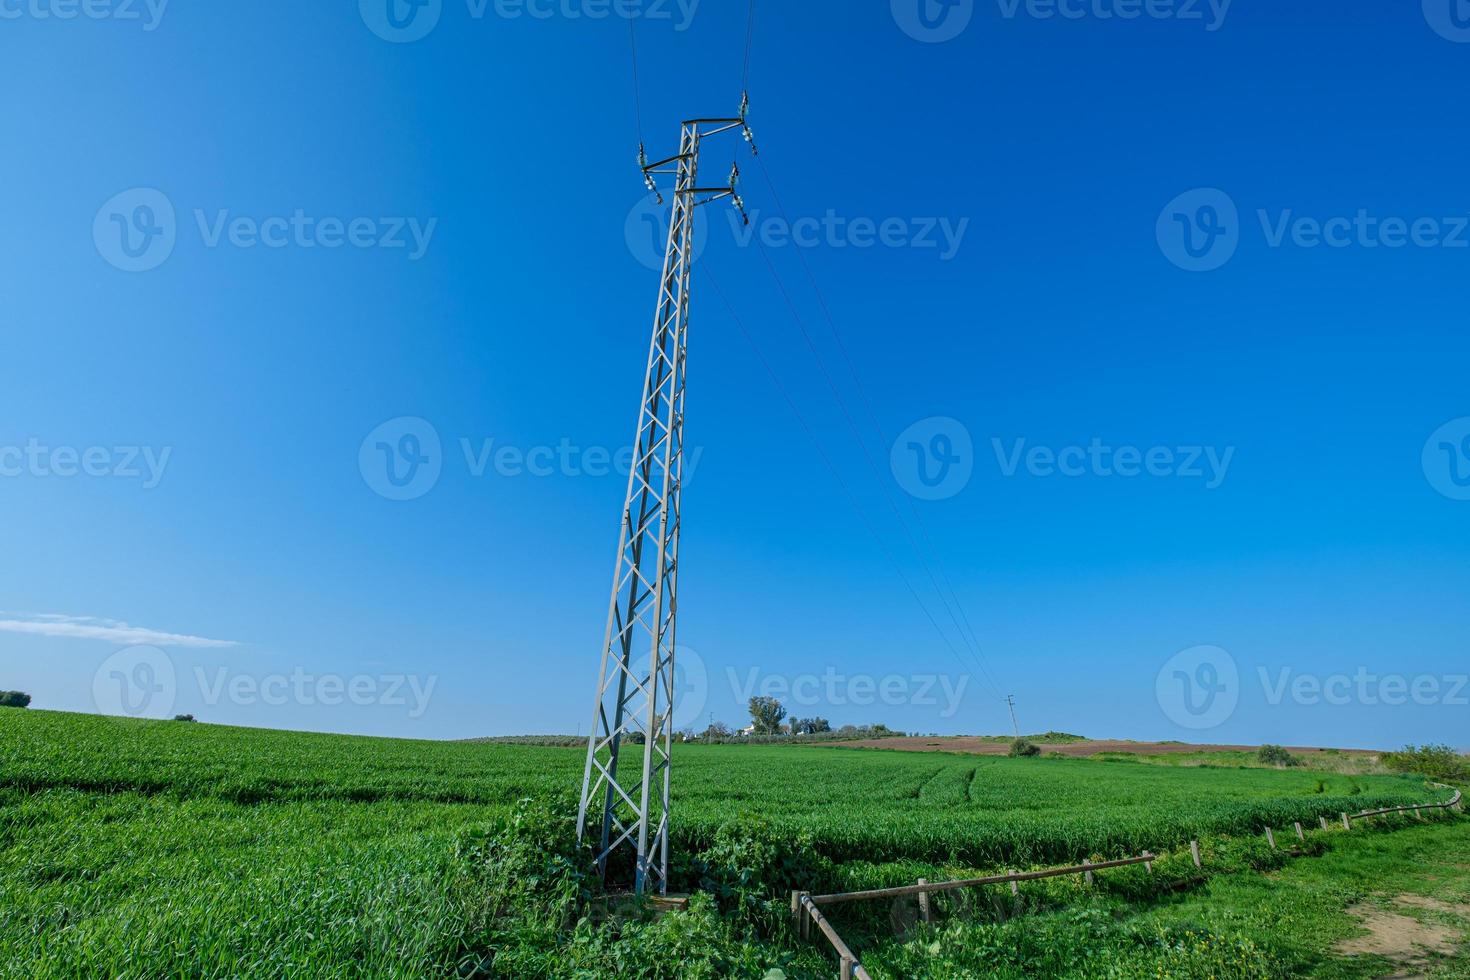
171	850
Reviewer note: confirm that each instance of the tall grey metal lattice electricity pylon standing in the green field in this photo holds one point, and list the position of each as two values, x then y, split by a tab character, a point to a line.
636	687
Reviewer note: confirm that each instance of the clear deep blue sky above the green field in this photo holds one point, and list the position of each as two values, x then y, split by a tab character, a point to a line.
455	237
